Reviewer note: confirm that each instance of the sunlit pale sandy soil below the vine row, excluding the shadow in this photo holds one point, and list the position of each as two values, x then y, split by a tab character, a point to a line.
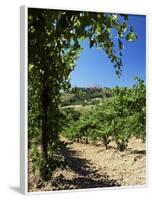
127	167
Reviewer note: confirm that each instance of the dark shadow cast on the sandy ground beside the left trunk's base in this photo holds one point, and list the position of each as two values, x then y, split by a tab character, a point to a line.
86	175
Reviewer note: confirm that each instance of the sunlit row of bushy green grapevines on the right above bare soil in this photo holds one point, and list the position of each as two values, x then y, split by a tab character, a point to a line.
118	118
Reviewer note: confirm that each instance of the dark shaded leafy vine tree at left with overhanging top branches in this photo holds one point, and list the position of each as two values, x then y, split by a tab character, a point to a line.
53	48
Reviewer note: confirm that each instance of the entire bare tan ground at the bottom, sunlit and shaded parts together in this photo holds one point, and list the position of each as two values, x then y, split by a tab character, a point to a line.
93	166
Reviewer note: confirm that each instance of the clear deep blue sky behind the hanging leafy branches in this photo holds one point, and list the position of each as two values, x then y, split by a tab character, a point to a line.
95	69
